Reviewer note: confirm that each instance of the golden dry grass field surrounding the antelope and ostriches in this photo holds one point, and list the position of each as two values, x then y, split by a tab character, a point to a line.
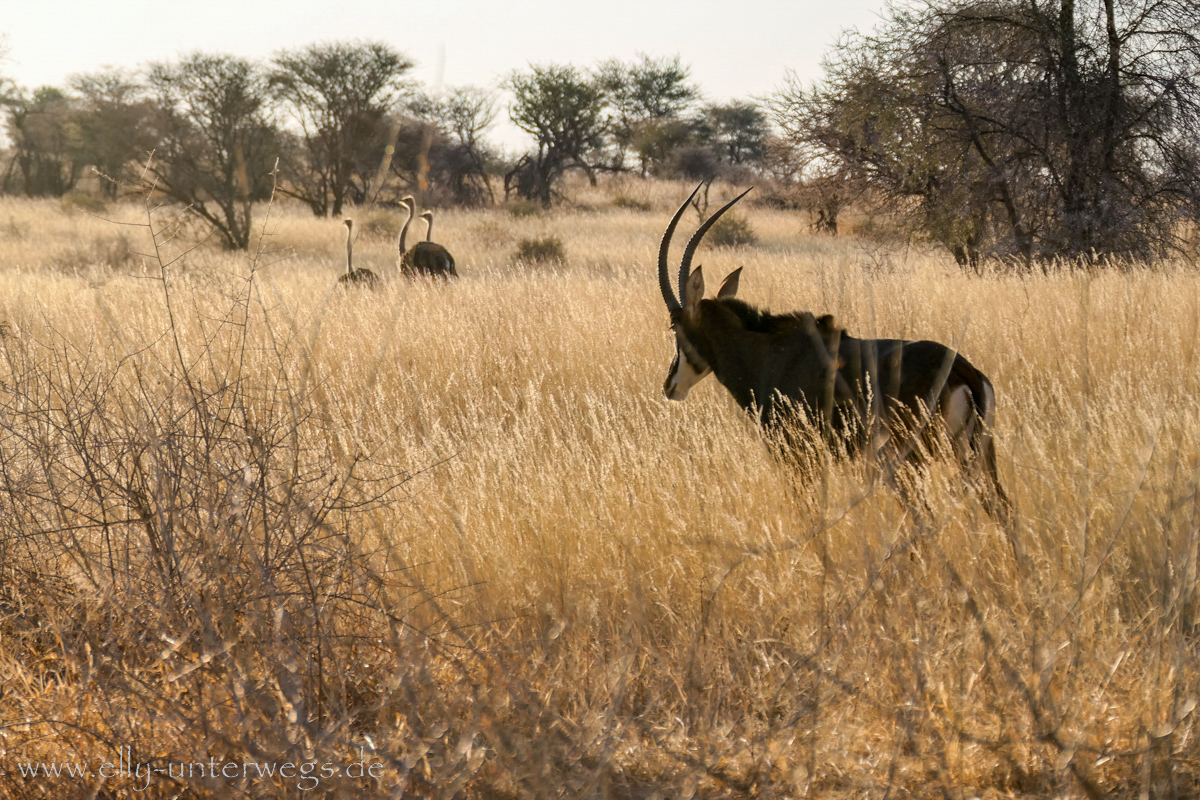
250	518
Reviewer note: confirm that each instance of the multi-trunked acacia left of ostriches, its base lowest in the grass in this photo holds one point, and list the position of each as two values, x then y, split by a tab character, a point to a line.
217	145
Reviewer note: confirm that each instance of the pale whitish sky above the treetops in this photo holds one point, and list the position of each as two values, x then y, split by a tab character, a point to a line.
735	50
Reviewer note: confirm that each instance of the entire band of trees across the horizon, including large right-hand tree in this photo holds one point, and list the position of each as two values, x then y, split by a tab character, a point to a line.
999	129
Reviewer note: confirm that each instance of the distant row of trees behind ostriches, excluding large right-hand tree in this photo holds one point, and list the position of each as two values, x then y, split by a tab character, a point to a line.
341	124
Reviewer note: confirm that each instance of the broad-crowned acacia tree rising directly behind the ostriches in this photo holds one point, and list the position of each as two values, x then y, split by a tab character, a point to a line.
340	97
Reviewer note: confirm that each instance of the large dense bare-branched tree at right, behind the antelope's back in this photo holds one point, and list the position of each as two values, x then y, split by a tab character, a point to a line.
1027	129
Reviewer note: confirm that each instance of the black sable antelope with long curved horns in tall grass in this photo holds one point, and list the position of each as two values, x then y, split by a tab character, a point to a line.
790	368
